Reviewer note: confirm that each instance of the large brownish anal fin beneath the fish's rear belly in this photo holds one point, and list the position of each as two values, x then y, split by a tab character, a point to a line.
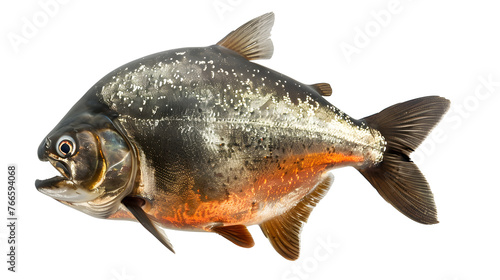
283	231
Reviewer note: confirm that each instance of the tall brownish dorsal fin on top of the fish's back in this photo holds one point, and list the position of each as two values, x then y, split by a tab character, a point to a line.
252	39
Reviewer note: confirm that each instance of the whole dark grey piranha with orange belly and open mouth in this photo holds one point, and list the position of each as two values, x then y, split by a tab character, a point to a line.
203	139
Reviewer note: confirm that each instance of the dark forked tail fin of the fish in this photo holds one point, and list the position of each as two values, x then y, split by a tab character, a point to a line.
397	179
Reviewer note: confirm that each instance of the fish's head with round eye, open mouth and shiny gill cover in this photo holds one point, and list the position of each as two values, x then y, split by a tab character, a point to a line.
96	164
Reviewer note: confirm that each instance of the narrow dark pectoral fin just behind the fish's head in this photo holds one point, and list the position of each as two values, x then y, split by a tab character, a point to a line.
134	205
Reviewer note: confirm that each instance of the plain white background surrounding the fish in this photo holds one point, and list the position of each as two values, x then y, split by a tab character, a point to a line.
424	48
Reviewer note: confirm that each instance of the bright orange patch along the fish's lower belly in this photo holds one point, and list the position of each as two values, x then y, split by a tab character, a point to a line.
269	194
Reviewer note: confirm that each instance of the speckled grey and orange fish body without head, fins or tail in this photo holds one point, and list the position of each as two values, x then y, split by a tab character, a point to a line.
243	144
